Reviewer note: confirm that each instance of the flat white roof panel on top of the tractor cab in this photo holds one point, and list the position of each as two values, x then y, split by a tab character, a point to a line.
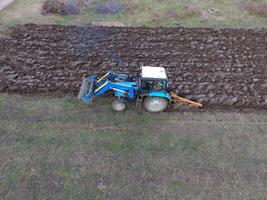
153	72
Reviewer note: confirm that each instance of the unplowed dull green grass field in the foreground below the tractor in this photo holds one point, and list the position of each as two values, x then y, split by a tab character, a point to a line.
58	148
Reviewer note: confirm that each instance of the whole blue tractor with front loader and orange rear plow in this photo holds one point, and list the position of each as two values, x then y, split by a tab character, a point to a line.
149	90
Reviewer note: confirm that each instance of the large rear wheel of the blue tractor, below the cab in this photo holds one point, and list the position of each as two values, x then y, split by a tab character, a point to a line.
155	104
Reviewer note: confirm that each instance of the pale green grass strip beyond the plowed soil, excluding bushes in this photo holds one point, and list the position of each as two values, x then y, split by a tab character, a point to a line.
144	13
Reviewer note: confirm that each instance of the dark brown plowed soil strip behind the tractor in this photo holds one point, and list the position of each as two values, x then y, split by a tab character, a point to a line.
224	68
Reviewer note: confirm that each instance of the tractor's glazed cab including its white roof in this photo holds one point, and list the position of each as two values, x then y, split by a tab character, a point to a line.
152	79
